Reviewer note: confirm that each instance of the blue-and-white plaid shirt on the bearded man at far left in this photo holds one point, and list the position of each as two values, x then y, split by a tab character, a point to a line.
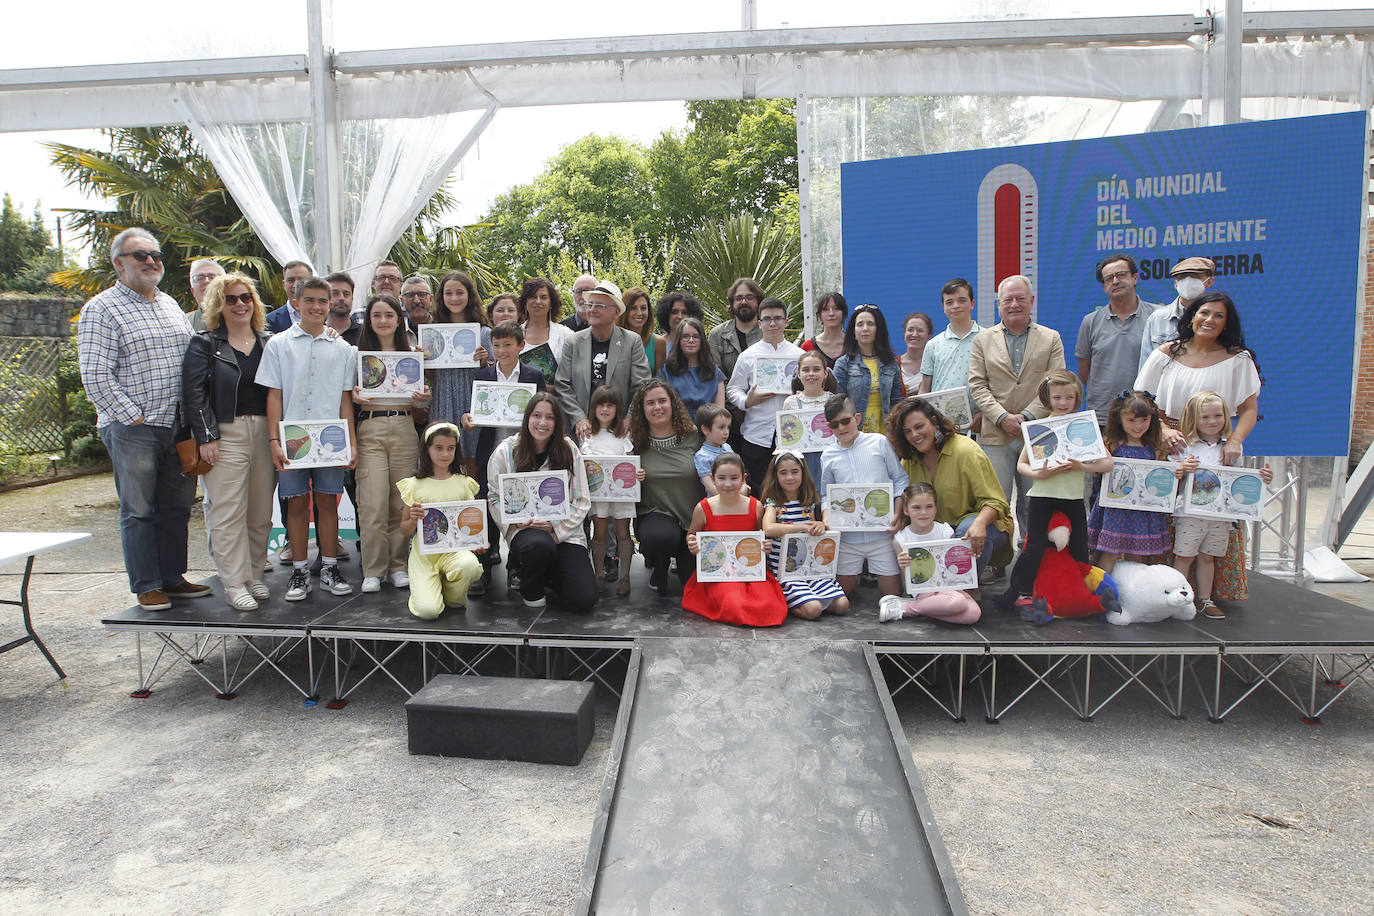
131	355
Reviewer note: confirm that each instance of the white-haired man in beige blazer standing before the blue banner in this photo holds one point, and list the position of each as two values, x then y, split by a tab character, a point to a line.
1006	367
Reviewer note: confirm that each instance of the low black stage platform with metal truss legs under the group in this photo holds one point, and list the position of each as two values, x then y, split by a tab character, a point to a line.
1307	648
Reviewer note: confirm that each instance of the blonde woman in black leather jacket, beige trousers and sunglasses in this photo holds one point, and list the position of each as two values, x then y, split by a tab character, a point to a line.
227	413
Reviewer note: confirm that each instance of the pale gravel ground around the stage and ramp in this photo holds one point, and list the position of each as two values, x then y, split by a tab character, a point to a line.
188	804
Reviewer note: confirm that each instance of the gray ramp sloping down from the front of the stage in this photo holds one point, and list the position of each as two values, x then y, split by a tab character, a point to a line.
763	777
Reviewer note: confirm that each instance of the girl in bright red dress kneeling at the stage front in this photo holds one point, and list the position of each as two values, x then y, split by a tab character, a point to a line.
748	604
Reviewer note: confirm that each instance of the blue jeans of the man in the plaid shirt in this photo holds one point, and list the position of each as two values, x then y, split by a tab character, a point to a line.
155	503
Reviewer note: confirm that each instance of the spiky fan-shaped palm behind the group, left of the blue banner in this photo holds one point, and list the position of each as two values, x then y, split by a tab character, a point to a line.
719	253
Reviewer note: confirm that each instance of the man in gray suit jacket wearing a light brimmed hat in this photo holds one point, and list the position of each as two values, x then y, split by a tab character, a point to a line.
601	354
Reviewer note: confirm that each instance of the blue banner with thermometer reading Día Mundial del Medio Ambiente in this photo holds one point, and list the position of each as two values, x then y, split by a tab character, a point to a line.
1277	205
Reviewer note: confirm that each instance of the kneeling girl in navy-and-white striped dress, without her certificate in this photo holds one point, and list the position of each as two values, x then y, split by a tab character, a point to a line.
792	506
